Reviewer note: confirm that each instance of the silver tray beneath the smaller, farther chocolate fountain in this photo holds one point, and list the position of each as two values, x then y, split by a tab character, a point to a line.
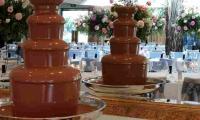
96	86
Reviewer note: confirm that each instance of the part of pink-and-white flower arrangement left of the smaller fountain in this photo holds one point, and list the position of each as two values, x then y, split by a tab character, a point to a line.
99	22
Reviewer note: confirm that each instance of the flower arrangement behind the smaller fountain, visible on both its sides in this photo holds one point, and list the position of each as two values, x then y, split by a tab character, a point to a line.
100	22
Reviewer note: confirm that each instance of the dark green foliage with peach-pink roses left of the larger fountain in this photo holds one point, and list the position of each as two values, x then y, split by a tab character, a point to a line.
13	17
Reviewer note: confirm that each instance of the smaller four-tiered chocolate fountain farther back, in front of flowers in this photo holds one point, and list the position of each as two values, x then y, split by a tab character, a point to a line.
124	66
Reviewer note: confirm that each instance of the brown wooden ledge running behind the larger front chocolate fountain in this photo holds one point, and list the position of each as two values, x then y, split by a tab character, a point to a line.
144	109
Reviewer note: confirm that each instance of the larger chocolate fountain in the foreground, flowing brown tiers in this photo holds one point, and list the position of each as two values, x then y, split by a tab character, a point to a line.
45	86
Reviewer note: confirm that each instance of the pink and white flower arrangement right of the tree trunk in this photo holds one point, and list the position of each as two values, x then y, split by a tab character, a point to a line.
188	23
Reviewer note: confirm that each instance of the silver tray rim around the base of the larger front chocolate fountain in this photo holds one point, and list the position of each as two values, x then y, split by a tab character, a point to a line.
89	108
